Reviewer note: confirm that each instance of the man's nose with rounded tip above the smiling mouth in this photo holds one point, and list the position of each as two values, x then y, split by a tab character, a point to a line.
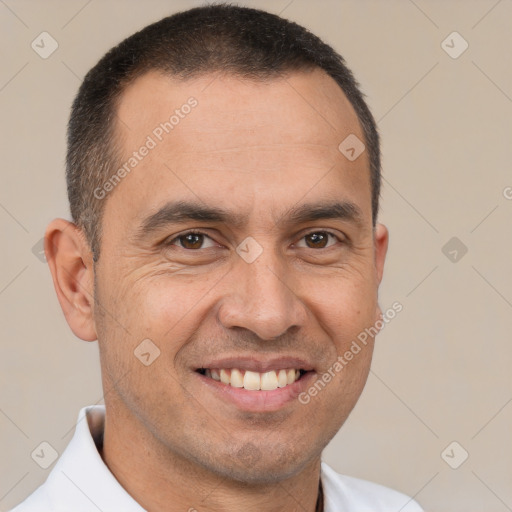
260	297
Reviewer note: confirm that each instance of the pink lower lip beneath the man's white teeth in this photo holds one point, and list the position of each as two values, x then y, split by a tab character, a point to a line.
257	401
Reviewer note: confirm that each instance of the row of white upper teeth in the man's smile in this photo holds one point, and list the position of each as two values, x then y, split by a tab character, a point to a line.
254	380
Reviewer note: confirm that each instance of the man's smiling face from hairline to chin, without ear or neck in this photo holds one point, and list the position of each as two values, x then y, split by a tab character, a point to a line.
256	160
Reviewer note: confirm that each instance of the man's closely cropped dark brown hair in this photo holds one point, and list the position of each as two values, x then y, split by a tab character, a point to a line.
245	42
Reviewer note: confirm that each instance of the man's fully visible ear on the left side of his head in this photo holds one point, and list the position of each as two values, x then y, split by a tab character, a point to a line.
71	264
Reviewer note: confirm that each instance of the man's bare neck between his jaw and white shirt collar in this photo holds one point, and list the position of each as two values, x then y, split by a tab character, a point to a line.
156	478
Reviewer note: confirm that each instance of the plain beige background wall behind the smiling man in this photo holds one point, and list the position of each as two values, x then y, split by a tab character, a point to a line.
442	368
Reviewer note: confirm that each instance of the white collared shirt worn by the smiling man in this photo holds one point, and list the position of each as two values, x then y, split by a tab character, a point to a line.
81	482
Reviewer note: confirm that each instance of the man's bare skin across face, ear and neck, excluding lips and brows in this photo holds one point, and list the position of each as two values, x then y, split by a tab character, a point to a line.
257	149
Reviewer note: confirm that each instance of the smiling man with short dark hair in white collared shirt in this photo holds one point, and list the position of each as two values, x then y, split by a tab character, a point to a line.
223	175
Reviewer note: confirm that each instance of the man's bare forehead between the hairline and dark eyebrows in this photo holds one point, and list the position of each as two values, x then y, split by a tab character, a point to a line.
257	145
